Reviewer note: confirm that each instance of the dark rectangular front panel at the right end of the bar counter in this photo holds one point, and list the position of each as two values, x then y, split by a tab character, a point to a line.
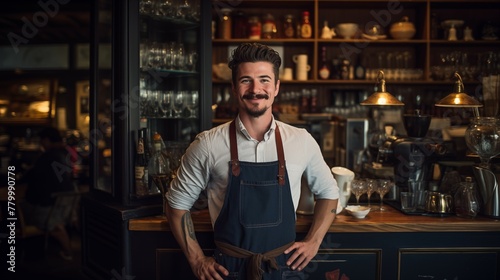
448	263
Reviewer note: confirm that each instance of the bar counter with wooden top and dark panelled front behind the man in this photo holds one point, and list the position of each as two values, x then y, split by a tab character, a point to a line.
384	245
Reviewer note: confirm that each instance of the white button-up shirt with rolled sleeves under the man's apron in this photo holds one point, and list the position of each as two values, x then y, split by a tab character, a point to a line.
205	165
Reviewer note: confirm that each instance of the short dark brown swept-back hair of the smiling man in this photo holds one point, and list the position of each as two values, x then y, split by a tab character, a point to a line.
254	52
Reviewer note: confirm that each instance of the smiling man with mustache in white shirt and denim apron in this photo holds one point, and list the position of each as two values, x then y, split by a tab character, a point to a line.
251	169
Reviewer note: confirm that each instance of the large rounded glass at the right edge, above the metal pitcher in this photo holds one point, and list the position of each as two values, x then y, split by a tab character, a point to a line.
483	137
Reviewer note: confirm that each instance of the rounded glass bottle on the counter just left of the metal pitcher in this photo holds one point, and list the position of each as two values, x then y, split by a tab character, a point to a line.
466	200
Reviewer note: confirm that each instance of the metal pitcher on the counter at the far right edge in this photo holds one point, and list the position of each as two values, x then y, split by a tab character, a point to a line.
487	183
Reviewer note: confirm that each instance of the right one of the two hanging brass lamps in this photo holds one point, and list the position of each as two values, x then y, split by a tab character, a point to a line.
458	98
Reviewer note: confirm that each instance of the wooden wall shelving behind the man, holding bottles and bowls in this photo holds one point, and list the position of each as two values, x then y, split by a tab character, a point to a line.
425	50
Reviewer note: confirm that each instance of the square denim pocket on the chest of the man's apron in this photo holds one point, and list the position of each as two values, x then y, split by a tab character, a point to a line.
260	204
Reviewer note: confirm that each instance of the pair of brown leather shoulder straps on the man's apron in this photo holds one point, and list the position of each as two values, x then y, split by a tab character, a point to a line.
235	167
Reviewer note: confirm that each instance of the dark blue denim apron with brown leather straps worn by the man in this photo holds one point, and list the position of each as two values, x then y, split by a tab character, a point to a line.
257	221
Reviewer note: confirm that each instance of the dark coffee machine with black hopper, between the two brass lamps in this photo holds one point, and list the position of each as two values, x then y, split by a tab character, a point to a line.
412	156
